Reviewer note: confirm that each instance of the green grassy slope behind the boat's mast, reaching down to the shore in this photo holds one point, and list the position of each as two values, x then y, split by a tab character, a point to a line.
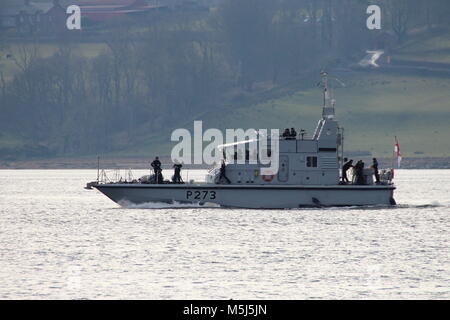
373	108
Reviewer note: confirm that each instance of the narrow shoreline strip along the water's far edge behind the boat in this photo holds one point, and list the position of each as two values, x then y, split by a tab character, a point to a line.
144	163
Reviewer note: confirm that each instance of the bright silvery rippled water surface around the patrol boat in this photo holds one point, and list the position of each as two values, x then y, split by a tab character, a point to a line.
59	241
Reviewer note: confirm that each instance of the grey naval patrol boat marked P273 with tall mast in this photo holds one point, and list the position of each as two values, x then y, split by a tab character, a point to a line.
309	175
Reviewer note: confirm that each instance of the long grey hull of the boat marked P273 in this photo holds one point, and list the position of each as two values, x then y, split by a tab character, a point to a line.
256	196
